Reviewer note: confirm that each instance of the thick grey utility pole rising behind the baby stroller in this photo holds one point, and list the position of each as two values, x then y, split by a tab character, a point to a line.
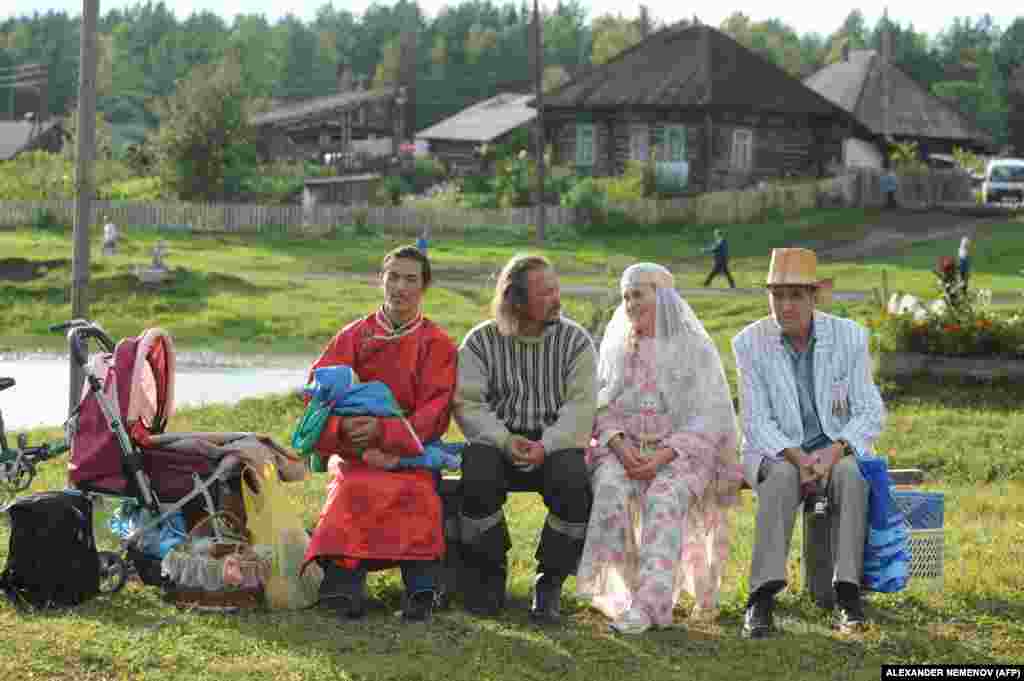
84	182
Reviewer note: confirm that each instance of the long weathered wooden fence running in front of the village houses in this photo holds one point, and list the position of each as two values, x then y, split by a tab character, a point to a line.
862	188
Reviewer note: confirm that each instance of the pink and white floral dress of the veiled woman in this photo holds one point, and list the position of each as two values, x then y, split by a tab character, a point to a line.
649	540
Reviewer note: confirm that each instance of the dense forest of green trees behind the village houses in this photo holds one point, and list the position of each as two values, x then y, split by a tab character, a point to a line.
468	52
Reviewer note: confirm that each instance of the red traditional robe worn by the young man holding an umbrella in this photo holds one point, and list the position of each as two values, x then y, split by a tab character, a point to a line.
372	514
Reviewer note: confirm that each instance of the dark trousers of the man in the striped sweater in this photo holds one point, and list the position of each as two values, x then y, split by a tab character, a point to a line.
488	477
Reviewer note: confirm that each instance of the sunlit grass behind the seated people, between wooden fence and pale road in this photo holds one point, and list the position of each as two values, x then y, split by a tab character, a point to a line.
266	294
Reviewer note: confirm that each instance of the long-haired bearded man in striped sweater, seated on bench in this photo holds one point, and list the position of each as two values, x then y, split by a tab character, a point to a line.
526	401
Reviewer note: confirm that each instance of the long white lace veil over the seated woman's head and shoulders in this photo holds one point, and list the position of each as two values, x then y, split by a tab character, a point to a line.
691	377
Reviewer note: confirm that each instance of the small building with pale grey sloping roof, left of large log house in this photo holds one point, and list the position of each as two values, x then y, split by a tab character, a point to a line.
457	140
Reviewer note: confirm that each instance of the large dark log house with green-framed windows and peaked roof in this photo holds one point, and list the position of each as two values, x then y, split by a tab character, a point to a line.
712	112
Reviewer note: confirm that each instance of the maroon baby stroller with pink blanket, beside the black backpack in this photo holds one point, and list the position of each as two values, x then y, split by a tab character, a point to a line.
119	448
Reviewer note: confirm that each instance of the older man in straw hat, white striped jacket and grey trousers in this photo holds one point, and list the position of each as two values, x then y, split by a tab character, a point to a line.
808	404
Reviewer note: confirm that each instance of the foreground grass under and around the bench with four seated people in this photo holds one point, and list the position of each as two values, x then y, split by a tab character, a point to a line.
969	438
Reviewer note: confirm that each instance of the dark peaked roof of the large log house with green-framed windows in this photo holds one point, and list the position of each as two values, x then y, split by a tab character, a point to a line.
694	68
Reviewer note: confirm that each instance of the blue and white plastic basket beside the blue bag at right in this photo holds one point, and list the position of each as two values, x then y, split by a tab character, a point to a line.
925	518
